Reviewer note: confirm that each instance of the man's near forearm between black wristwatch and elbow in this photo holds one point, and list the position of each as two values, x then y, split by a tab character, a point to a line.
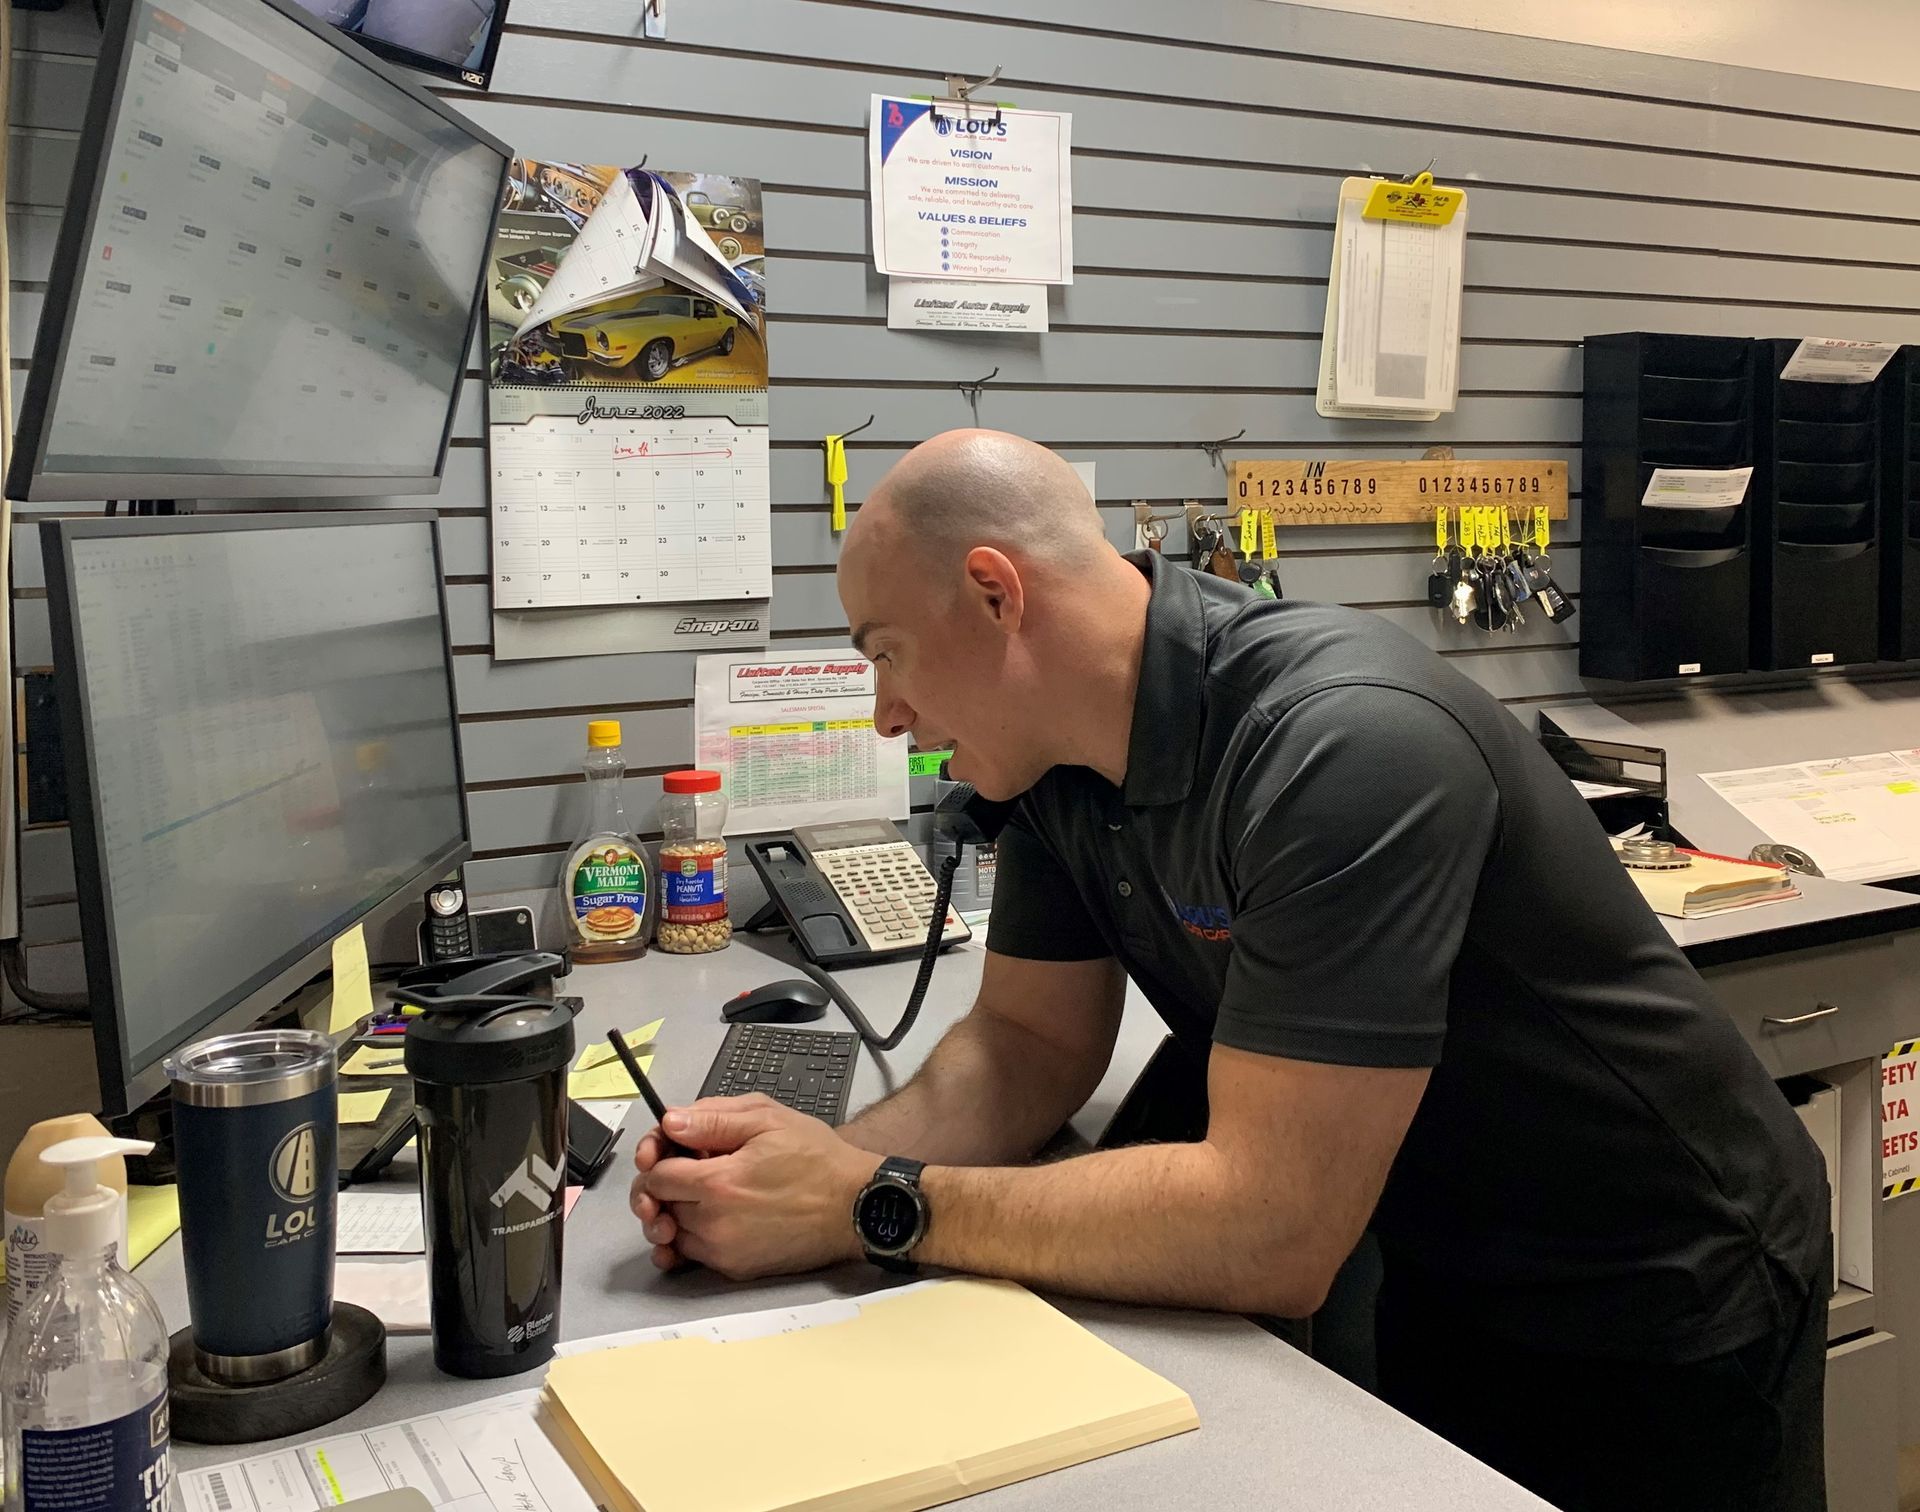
1149	1225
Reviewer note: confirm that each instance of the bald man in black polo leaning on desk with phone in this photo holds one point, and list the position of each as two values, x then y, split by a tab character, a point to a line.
1424	991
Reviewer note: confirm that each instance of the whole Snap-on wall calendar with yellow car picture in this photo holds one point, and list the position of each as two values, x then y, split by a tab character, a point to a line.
627	366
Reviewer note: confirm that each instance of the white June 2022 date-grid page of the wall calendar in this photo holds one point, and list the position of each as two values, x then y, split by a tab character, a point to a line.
613	511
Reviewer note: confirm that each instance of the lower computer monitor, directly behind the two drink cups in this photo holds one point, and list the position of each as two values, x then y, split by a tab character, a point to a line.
260	740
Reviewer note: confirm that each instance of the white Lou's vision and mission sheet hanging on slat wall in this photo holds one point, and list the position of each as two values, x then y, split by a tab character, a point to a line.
972	193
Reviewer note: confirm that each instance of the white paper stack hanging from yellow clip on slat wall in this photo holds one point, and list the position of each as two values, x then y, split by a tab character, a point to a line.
1391	343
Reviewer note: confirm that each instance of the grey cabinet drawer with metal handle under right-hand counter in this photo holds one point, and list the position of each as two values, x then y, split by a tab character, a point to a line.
1815	1008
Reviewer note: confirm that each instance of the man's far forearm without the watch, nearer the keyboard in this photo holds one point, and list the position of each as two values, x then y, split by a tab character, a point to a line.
990	1095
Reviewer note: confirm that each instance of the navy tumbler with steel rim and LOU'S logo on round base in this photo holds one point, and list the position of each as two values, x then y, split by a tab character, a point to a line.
256	1127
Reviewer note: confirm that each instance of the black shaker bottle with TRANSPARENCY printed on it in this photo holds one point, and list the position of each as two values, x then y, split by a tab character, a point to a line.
491	1099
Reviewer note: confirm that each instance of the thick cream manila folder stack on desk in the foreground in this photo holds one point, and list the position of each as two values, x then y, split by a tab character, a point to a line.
923	1398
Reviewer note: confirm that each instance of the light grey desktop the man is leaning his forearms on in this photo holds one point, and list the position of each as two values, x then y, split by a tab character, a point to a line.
1278	1430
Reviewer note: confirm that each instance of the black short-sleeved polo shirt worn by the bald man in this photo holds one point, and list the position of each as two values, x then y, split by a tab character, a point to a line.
1333	847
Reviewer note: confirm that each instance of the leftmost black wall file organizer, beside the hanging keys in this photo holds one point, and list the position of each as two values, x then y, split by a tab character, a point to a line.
1664	592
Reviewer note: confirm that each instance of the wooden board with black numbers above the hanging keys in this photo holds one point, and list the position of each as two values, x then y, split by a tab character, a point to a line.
1403	492
